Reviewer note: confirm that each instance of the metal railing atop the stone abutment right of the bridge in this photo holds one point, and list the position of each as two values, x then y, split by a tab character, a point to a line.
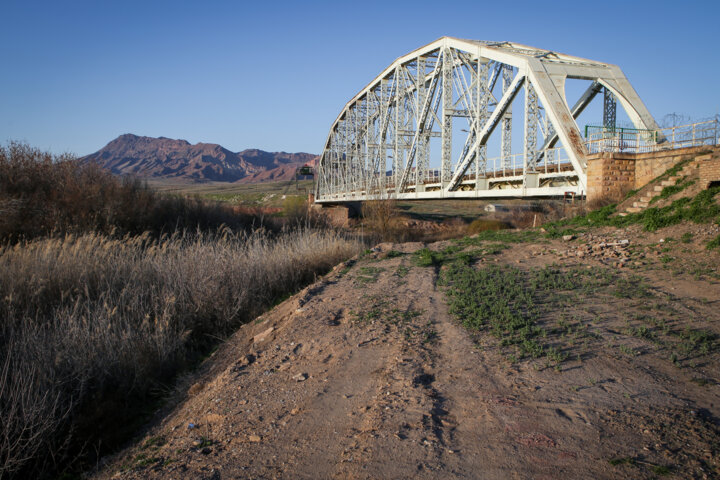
642	141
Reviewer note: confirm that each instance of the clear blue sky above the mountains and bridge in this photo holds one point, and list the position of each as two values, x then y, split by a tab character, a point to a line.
274	75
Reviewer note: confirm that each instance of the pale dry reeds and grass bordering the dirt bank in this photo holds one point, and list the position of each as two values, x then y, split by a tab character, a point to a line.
92	324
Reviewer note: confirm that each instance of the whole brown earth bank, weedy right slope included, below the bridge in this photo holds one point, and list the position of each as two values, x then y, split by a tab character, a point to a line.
366	373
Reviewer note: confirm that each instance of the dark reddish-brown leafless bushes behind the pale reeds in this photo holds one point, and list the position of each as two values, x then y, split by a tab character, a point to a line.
41	193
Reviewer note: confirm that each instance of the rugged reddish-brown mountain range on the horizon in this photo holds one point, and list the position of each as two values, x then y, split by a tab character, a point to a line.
166	158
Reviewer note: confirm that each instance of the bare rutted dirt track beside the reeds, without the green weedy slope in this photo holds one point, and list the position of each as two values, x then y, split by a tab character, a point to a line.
366	375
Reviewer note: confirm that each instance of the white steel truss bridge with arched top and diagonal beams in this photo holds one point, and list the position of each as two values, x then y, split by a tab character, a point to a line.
380	145
